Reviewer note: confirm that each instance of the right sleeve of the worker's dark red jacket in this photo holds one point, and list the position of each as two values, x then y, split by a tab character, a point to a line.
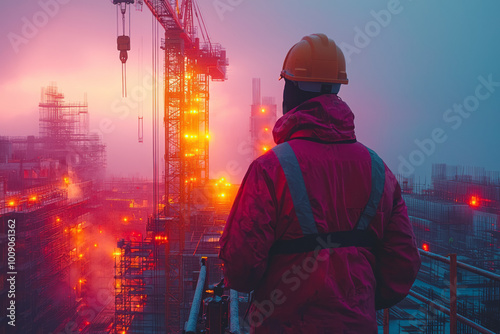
398	259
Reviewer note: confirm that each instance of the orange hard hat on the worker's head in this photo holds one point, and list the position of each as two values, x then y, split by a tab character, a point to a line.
316	58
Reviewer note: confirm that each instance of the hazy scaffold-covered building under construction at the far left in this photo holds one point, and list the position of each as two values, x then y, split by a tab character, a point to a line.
48	192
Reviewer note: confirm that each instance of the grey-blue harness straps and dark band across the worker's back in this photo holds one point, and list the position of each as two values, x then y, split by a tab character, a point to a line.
360	236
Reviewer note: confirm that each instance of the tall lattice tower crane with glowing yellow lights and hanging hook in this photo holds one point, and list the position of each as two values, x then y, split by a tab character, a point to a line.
189	64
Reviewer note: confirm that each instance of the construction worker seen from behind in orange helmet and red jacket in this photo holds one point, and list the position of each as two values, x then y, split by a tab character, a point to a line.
319	229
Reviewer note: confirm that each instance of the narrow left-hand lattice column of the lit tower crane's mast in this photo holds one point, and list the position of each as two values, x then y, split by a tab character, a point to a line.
175	193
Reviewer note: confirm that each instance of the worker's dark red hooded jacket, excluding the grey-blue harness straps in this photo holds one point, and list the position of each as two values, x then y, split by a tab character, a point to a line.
330	290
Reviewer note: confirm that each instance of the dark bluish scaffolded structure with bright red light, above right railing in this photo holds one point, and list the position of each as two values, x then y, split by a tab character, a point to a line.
459	212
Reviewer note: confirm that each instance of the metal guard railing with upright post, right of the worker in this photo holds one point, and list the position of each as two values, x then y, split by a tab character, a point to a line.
452	310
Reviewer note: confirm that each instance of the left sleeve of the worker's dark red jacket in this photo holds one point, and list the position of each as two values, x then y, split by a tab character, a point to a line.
249	231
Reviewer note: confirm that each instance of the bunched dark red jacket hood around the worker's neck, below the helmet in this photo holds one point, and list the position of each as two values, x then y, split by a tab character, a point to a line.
325	118
